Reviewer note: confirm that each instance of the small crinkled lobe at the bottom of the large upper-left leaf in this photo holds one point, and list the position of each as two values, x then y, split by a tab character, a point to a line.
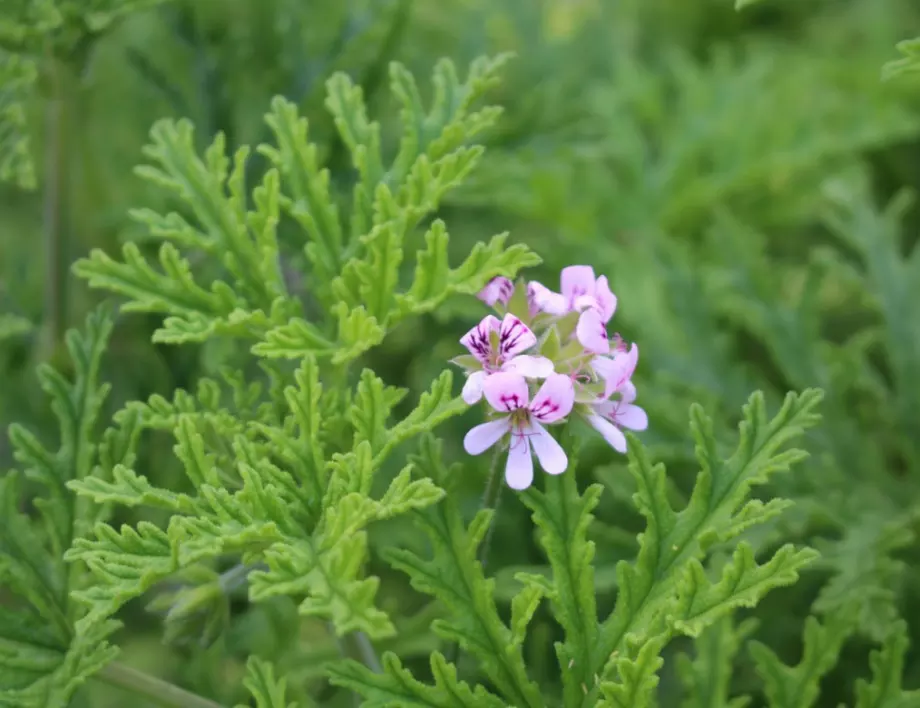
357	332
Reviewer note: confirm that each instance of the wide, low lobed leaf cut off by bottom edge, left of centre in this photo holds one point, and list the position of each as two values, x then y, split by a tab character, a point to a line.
397	688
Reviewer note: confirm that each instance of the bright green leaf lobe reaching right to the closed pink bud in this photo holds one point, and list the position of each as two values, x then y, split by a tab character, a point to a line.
435	281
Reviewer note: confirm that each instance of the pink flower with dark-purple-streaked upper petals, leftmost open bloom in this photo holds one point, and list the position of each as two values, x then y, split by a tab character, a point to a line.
497	346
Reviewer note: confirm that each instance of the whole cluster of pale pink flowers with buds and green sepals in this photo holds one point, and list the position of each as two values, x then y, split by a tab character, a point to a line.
548	356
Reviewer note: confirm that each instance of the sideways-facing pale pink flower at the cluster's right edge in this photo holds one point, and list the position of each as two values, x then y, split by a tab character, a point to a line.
609	416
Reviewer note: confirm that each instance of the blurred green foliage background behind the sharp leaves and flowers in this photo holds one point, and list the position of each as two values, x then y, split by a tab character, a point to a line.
743	178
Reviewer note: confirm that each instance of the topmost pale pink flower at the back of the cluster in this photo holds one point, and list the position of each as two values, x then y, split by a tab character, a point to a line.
581	292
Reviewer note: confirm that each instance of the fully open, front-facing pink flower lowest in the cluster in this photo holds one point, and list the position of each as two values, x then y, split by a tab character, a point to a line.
507	393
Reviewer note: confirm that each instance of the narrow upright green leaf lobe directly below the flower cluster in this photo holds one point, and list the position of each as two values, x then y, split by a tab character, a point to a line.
563	517
